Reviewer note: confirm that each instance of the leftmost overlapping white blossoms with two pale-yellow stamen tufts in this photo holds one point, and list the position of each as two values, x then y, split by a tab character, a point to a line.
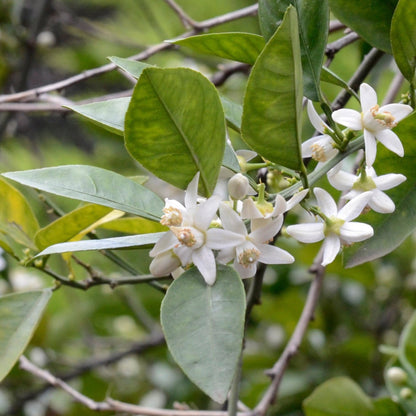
189	238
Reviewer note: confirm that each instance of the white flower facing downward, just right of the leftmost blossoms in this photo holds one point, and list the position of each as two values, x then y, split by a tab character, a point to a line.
249	248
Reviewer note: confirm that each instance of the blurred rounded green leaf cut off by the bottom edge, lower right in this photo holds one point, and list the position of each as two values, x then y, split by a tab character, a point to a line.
338	396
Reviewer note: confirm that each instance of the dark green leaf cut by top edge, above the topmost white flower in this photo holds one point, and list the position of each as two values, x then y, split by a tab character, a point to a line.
371	19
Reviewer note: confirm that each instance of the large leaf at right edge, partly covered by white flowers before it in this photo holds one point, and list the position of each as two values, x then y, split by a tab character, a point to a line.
390	230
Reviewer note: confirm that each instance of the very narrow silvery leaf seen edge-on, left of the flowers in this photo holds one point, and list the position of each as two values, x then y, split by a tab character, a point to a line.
103	244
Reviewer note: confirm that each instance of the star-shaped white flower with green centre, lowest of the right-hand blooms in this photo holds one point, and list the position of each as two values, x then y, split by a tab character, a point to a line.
337	227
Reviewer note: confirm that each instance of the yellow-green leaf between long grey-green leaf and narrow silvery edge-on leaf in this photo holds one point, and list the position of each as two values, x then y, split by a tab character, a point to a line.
70	225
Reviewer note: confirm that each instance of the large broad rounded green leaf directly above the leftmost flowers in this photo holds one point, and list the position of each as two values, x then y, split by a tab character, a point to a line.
175	126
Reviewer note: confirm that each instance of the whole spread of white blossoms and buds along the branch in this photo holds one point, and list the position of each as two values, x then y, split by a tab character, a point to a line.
206	231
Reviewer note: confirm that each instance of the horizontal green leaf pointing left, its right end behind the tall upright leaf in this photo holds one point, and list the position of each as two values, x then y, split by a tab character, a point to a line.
237	46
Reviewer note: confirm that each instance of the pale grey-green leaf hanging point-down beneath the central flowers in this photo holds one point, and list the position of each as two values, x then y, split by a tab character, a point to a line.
204	326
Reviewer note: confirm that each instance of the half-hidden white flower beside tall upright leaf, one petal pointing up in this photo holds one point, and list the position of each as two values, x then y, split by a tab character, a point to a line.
321	148
